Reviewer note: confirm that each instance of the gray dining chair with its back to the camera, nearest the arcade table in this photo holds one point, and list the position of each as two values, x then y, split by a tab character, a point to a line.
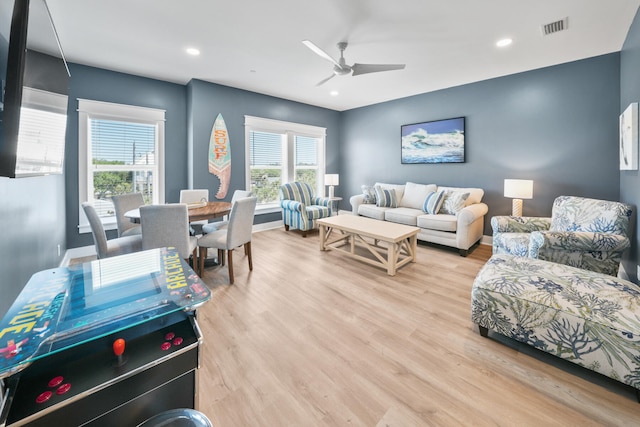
168	226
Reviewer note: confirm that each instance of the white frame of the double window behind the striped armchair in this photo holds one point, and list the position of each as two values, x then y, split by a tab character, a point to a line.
290	130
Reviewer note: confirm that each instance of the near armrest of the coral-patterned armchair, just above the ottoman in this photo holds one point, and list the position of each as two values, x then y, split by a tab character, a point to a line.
576	241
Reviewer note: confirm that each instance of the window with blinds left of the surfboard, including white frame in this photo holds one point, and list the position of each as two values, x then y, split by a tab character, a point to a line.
120	151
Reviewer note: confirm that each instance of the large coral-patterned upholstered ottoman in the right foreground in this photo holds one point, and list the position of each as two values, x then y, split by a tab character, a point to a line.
588	318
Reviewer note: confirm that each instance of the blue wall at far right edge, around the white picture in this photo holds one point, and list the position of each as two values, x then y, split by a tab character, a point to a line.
630	180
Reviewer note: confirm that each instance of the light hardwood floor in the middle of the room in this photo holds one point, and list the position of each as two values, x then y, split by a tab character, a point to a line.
311	338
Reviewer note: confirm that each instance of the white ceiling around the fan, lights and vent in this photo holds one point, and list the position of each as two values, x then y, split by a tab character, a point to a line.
256	44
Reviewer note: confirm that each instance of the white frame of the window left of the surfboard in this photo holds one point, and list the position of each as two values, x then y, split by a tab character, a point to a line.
90	109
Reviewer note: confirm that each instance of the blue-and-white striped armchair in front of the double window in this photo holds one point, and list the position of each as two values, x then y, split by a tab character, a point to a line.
300	208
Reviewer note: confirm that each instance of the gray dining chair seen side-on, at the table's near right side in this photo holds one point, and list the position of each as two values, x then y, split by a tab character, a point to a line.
237	233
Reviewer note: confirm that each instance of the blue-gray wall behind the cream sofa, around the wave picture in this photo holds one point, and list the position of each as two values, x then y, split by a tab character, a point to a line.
557	126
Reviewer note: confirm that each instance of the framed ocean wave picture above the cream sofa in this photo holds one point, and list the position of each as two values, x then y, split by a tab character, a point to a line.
437	141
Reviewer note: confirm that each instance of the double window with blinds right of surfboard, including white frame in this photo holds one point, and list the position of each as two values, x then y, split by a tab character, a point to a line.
279	152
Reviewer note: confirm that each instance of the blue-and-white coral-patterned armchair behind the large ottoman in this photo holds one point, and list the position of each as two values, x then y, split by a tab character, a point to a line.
586	233
